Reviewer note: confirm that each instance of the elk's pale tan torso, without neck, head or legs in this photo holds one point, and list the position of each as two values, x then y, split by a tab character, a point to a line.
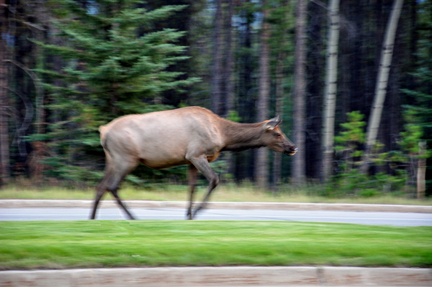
163	139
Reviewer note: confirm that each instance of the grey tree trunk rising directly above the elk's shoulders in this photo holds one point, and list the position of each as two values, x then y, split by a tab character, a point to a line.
216	98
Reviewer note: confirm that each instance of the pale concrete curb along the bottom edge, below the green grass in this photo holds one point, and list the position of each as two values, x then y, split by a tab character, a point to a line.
219	276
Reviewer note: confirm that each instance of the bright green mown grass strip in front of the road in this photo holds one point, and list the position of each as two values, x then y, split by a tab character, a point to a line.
85	244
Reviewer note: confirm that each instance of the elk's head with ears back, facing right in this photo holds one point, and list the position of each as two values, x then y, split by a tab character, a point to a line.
275	139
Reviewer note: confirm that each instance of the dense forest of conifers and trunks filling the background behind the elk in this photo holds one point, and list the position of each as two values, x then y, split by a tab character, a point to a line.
351	79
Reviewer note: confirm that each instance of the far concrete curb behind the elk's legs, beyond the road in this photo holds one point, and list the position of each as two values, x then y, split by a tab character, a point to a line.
18	203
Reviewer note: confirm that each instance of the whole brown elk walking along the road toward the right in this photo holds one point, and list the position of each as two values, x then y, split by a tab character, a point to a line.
192	136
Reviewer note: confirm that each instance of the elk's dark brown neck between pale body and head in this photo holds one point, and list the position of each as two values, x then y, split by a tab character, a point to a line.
240	137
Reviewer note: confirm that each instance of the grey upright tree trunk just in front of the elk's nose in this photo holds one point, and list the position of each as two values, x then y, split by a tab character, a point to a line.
299	167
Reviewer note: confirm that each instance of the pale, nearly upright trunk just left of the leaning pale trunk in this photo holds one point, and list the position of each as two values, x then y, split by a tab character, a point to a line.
330	90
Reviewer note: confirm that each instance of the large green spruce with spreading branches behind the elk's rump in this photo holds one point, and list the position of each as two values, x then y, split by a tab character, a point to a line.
115	63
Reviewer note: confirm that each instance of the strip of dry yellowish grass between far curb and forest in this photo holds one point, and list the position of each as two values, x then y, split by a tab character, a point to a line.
227	192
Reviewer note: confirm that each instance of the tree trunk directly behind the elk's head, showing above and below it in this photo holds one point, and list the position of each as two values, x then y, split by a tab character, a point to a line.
261	168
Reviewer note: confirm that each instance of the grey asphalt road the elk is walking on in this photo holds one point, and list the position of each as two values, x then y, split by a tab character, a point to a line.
369	218
